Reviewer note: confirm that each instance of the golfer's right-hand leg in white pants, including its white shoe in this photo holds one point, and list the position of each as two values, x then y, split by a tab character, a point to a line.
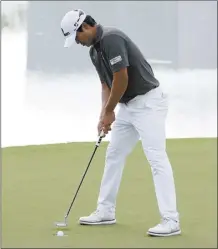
149	119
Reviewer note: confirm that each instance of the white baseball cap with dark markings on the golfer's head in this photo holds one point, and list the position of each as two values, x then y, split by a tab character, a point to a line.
70	23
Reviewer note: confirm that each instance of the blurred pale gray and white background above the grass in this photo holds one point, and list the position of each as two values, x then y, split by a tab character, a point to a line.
51	94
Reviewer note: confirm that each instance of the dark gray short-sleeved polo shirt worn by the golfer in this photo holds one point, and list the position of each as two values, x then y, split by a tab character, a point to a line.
114	50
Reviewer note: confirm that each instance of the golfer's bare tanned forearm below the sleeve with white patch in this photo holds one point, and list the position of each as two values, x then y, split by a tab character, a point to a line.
117	91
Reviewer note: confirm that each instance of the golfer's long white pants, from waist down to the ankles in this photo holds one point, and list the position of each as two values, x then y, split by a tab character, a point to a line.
143	117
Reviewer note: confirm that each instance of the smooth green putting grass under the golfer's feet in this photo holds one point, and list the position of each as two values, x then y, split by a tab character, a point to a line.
40	181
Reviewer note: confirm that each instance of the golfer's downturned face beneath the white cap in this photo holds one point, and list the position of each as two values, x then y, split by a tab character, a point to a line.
85	37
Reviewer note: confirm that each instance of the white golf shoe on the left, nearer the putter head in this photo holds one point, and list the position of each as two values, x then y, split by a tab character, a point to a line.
98	218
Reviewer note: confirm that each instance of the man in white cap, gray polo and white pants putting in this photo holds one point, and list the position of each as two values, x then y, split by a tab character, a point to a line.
128	81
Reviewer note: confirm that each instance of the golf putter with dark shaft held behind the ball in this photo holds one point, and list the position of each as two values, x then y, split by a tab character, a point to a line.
64	223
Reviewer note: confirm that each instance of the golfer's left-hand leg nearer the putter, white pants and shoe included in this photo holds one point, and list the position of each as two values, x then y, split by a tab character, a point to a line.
123	139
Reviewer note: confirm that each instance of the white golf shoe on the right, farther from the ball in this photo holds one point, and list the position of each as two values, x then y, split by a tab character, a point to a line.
167	227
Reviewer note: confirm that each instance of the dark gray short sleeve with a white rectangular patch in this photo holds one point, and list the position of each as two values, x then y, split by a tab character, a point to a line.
115	49
